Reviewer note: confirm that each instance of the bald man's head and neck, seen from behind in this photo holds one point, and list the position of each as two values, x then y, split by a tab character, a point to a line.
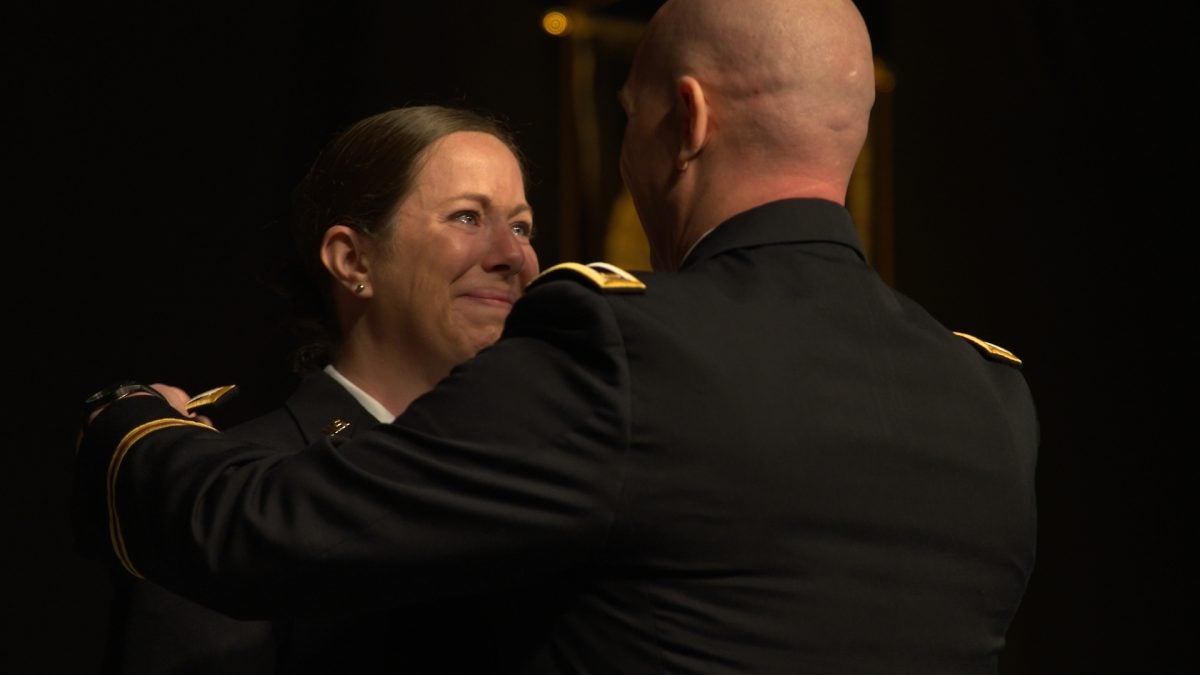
733	105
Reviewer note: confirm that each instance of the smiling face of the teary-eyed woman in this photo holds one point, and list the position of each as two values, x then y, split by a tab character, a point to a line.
458	253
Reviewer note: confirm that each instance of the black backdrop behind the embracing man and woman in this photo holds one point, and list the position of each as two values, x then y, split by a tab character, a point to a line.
1043	156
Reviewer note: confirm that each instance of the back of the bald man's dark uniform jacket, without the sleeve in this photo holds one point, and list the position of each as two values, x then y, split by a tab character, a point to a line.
820	479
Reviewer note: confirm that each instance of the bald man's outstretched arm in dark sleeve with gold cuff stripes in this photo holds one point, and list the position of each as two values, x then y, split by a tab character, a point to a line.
508	469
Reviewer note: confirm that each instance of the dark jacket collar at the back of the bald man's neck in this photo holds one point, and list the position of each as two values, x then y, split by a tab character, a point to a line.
779	223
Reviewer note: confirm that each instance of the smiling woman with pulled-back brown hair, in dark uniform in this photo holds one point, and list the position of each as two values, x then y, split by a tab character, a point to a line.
415	237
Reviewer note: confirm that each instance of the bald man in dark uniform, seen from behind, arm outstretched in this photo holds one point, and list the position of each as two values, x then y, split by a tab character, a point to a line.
763	462
